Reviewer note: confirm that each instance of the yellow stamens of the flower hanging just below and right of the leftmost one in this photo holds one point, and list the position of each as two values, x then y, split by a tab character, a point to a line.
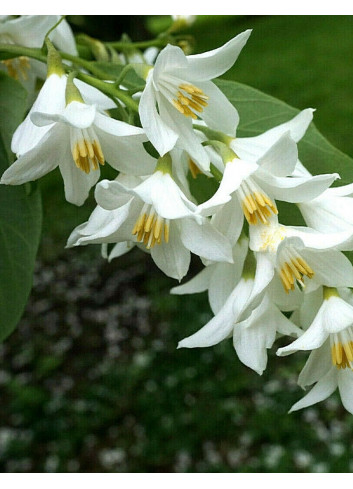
150	228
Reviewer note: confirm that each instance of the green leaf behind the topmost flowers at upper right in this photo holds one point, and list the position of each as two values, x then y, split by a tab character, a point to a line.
259	112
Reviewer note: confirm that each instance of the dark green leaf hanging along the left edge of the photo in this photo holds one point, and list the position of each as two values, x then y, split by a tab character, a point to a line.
20	216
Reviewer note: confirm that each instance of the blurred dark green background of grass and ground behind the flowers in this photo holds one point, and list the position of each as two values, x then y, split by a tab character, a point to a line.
91	380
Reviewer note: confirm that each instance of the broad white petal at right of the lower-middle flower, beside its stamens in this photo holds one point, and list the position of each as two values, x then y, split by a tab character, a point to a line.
204	240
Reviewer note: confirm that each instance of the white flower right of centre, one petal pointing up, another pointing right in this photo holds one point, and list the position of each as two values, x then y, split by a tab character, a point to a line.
250	188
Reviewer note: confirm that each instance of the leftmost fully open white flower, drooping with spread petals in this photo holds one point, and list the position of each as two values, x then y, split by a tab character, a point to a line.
80	139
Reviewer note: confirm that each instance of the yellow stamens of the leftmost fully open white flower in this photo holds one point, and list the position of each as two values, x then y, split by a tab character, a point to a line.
86	149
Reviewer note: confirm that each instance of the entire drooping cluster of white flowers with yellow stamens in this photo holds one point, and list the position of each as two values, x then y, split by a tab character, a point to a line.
264	279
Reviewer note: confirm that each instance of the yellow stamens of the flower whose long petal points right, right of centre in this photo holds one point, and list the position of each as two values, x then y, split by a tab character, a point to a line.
256	204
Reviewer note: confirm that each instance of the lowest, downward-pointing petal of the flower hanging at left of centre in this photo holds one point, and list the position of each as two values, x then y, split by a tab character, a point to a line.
172	257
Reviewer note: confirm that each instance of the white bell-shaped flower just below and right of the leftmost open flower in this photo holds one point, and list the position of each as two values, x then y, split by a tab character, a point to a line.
155	214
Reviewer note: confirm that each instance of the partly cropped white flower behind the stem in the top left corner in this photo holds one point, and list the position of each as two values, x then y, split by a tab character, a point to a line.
30	31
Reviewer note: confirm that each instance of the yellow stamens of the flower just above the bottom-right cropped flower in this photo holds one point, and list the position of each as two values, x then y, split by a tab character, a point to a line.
293	268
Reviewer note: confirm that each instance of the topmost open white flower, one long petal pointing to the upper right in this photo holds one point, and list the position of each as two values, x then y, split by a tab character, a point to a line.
178	90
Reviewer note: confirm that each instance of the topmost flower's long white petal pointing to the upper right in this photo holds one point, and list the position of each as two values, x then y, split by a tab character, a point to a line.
212	64
